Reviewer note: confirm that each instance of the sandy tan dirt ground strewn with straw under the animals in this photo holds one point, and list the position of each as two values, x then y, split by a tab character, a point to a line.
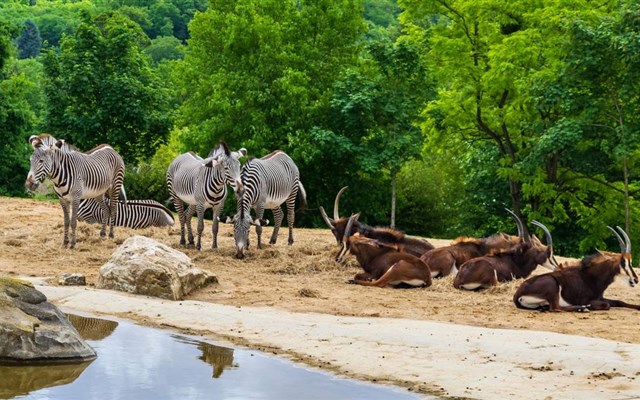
300	278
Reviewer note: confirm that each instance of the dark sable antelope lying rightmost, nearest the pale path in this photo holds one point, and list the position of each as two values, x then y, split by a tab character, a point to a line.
581	287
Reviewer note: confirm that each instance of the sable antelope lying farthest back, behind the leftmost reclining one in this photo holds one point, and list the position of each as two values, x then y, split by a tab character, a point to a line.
412	245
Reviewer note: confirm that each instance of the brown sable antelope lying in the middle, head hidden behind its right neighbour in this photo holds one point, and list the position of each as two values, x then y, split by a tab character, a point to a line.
445	260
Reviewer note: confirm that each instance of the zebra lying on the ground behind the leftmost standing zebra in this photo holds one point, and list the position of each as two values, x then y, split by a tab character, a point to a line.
135	214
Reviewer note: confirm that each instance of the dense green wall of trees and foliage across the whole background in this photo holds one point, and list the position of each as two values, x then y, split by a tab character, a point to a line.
437	114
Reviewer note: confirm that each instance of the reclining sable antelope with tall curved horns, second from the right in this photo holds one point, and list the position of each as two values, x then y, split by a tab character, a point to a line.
518	261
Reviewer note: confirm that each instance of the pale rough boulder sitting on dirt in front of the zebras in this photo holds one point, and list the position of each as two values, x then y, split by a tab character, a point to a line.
144	266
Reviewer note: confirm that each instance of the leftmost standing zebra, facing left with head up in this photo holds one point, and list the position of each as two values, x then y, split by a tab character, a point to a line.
97	174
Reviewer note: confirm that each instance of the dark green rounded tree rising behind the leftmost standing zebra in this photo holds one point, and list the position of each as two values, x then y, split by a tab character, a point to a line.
101	89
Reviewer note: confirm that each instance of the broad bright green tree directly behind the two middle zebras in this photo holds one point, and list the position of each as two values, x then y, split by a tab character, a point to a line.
259	72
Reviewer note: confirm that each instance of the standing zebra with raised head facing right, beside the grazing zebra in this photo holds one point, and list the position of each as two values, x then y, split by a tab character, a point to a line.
201	184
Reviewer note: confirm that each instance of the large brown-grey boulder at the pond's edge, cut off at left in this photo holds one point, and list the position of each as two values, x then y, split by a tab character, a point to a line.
33	330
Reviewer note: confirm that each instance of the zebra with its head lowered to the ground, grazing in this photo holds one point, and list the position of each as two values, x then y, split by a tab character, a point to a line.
268	182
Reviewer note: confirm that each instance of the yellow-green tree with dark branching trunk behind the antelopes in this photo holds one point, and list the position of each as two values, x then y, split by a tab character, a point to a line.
488	58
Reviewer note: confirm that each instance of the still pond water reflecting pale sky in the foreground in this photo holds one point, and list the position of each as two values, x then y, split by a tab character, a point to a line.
141	363
